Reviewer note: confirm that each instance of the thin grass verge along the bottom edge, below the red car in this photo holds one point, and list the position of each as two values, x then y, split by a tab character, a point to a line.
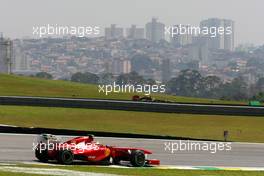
137	171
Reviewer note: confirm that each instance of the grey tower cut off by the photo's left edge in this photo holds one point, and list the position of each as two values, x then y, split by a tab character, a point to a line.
6	54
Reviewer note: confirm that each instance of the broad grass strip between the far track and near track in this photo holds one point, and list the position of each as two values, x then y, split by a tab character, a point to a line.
249	129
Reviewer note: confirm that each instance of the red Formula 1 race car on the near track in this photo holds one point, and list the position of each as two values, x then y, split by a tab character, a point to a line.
86	149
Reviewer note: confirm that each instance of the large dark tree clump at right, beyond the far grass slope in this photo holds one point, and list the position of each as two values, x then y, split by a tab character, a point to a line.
192	83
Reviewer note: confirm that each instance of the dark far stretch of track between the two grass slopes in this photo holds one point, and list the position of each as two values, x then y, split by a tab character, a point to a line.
209	109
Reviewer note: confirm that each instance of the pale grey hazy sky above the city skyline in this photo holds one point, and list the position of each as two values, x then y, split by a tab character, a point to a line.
17	17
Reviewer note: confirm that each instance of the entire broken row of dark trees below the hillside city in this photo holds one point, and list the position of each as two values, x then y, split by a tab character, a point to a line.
188	83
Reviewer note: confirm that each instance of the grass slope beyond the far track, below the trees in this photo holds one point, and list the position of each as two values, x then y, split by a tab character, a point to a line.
12	85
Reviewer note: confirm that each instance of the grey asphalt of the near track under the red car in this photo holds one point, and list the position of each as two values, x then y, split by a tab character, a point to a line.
18	148
